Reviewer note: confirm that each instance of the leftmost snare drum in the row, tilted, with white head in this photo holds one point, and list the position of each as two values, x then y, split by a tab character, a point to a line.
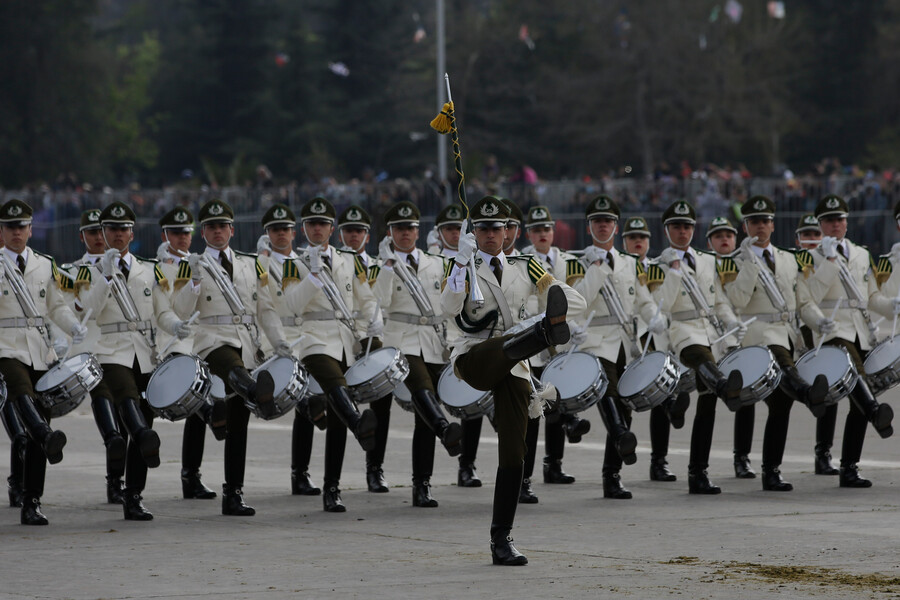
62	388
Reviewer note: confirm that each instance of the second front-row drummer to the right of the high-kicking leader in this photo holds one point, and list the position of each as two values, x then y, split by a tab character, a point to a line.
687	284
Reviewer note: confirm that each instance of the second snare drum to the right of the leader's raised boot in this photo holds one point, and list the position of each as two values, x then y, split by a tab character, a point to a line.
648	381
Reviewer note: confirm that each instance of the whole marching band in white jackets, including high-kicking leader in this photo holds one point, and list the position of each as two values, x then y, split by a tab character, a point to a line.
467	330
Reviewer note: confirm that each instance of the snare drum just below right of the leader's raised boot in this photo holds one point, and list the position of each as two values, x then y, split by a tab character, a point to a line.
579	379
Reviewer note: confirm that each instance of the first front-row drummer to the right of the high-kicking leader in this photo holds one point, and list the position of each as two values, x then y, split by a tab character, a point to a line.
606	269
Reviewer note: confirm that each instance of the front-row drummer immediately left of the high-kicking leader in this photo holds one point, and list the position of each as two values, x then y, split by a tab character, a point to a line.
408	287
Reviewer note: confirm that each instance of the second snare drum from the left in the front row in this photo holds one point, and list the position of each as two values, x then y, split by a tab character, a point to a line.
179	387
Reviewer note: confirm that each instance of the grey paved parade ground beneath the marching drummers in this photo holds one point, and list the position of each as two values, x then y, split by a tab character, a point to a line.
817	541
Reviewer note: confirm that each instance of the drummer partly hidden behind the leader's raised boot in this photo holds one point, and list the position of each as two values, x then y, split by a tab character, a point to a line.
539	226
